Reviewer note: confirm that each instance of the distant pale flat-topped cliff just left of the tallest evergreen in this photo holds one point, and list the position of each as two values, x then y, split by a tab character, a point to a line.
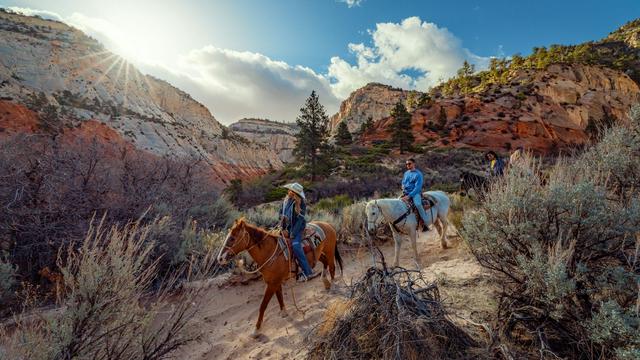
279	137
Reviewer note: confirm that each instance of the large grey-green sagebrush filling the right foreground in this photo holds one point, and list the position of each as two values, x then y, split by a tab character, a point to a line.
565	251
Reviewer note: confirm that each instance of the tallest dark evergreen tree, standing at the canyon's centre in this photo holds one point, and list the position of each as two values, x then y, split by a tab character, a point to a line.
312	147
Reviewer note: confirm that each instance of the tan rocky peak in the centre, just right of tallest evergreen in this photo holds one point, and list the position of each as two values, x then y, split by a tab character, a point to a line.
371	101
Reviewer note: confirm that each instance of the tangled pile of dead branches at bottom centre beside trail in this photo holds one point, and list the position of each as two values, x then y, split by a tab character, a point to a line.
391	314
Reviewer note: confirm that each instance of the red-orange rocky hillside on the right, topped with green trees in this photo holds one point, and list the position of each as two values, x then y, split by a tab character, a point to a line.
551	99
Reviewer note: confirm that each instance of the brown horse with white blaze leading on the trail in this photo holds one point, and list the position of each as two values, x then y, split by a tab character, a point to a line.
263	247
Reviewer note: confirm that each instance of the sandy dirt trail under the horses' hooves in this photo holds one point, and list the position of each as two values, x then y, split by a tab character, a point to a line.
229	316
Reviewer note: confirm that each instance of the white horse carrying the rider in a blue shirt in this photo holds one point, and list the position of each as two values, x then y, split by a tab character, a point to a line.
389	210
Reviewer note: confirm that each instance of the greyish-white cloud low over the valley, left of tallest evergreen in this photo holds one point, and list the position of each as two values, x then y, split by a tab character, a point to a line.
234	84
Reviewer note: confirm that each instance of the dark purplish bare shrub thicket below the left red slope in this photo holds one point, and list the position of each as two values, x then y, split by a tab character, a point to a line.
50	189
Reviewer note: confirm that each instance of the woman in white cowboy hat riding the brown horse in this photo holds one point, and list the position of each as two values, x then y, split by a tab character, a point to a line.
293	225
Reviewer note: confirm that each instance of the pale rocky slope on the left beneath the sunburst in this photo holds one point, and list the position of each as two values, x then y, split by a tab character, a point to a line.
66	77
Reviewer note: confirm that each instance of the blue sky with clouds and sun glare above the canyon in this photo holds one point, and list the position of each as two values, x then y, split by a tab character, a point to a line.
257	58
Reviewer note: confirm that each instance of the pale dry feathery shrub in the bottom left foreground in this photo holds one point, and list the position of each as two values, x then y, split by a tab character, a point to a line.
109	308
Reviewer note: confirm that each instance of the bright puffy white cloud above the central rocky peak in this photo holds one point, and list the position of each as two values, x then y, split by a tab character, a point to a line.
412	54
